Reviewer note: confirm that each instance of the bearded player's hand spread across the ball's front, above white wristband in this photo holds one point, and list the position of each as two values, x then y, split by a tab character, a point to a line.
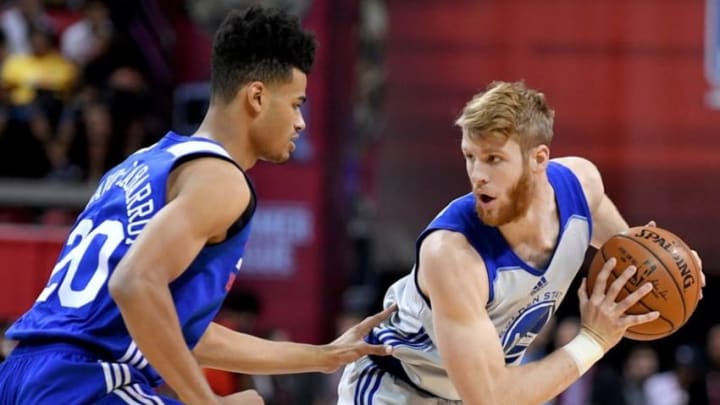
605	318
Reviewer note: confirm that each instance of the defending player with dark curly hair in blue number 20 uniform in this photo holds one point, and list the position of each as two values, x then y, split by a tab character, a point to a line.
149	261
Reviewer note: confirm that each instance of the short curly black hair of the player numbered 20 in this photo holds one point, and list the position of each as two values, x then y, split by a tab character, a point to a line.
262	44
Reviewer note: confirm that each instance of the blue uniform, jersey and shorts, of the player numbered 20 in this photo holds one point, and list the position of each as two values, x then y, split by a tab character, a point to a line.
74	346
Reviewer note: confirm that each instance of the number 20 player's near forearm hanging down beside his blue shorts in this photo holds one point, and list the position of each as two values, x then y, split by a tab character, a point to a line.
152	321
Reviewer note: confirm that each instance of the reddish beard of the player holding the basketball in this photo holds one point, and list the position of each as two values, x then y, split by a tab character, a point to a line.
518	198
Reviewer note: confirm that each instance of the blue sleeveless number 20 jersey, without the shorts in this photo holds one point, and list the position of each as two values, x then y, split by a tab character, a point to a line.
76	306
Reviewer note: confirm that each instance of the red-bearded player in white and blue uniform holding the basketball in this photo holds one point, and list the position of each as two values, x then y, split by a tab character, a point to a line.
492	268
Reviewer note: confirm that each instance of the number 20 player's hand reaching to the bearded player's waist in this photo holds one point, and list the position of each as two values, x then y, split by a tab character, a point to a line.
351	345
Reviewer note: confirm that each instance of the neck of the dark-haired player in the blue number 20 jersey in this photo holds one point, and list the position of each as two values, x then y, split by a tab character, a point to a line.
226	126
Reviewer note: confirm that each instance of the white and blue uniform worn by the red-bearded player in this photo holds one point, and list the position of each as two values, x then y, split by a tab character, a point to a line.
521	301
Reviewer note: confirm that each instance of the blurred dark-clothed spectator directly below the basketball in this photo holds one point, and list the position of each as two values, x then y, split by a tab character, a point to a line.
641	364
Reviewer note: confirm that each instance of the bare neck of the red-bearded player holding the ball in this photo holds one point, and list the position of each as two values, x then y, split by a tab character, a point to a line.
542	214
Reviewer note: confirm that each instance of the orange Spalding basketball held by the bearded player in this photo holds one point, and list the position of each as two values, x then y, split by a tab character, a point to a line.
662	259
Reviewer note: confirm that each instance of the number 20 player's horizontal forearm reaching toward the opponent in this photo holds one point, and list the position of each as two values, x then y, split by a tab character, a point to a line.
224	349
